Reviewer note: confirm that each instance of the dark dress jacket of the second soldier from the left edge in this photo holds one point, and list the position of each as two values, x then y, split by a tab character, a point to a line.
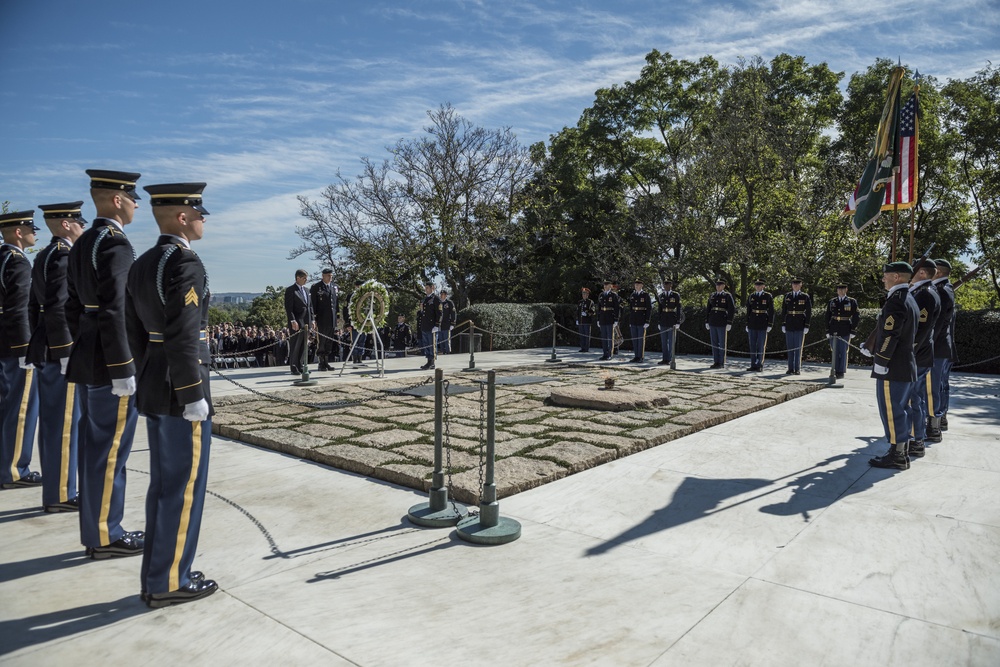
51	338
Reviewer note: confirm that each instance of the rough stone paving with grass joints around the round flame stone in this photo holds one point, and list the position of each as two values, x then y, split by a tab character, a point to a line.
550	451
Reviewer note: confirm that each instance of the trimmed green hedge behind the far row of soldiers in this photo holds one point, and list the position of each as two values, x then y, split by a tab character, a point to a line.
977	333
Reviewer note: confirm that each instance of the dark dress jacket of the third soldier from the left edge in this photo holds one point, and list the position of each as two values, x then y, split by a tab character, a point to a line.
98	269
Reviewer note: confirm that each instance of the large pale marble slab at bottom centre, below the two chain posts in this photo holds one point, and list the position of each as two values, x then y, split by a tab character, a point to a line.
542	572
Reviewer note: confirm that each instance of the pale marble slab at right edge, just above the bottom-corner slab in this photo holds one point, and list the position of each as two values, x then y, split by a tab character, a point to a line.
930	568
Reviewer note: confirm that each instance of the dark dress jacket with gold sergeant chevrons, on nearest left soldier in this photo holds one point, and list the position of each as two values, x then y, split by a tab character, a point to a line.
167	313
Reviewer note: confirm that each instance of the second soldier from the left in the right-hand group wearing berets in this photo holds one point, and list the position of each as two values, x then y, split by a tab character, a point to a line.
922	398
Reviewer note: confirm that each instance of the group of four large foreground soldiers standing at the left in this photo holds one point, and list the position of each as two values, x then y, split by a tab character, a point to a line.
90	337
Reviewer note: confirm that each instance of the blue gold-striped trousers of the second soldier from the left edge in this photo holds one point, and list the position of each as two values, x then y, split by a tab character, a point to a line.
57	434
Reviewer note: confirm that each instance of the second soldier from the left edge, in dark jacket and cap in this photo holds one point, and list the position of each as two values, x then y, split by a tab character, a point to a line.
51	344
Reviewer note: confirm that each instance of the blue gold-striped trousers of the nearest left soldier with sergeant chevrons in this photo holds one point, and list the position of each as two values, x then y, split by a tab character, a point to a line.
178	476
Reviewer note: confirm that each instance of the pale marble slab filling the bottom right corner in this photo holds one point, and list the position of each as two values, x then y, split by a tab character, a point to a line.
766	624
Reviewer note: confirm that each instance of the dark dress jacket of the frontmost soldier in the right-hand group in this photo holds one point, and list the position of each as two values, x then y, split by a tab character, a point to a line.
895	332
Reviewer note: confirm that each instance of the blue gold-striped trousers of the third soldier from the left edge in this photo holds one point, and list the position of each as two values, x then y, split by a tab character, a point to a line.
107	427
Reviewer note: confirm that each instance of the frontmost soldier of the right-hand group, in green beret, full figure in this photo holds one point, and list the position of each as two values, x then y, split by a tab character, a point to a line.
895	364
